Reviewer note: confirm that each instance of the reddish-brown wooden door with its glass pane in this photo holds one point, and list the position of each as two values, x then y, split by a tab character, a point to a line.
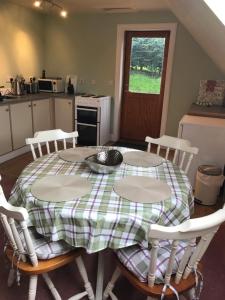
145	64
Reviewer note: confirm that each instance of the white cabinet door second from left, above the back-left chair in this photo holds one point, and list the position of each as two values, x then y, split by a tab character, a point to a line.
21	121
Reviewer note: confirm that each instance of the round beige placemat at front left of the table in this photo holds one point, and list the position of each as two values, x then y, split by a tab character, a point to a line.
60	188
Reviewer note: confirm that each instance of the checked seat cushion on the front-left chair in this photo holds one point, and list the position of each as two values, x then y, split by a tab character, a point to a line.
44	248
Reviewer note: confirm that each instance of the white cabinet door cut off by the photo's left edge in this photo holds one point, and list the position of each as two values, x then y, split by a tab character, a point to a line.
5	131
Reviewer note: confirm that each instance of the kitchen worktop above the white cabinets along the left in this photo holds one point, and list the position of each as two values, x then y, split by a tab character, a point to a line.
34	97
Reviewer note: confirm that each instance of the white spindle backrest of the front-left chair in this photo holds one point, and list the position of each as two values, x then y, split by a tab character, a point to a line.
8	215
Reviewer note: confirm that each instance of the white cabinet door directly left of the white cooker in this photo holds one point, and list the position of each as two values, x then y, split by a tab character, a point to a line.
64	114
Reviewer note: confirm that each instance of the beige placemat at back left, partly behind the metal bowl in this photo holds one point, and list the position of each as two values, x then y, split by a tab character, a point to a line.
76	154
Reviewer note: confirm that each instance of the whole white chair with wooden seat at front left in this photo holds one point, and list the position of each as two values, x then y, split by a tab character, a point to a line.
32	254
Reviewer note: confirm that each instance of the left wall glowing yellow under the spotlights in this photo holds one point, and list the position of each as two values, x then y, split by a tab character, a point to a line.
21	41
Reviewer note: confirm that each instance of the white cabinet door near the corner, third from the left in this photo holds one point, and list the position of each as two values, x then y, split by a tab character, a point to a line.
42	115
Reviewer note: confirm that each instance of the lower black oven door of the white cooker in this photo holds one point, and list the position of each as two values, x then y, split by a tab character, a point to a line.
88	134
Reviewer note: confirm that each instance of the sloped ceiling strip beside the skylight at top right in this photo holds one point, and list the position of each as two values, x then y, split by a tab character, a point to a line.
204	26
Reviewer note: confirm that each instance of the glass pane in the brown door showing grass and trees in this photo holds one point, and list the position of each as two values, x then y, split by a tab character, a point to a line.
146	65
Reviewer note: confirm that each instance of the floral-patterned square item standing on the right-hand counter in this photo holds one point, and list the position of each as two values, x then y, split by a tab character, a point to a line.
211	92
